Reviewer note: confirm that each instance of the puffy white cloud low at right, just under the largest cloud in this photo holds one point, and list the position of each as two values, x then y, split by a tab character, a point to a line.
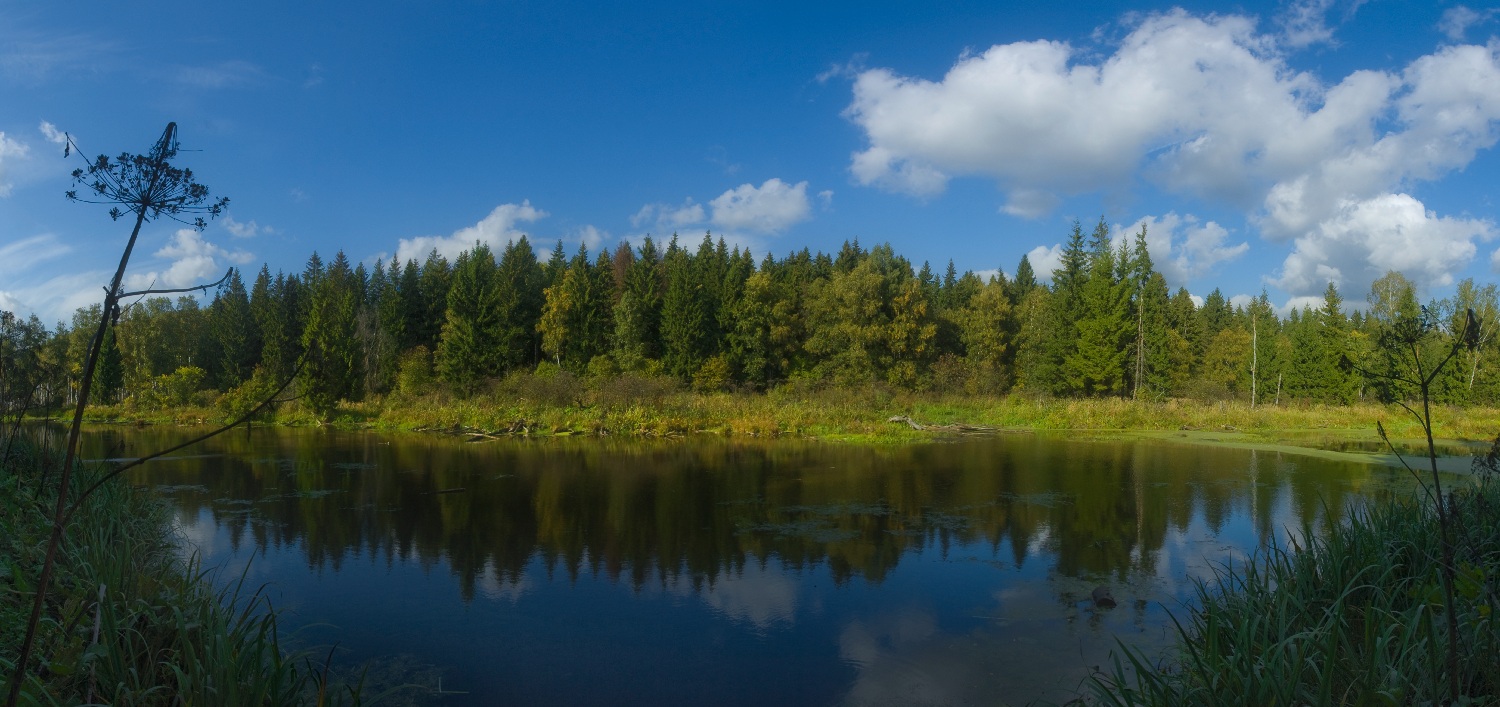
1367	239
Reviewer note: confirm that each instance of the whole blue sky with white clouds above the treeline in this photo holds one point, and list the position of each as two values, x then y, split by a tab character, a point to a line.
1273	146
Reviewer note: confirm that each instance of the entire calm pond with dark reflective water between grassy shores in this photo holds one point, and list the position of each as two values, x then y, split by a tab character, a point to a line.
730	573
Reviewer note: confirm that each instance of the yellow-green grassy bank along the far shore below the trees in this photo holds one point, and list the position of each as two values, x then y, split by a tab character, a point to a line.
653	408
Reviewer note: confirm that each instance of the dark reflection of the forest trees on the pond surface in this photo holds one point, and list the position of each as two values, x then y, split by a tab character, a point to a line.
655	511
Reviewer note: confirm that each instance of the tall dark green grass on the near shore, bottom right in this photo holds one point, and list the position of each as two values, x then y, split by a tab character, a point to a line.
1352	615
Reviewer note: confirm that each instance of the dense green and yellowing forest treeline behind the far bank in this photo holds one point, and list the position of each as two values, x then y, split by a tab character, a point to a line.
715	319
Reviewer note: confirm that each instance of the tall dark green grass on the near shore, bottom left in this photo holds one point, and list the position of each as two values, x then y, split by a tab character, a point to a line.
131	616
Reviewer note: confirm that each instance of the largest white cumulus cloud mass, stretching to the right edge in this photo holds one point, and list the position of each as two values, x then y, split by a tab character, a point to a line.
1204	107
